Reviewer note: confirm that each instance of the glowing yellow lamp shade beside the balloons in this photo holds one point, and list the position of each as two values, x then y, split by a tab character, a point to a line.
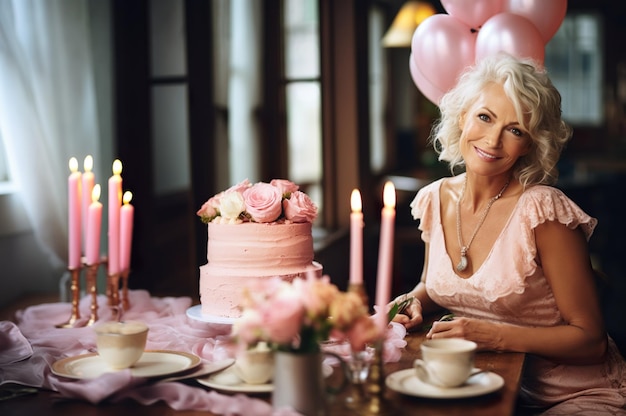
411	14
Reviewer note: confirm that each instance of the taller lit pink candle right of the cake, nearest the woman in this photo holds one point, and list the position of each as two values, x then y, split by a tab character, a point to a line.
385	253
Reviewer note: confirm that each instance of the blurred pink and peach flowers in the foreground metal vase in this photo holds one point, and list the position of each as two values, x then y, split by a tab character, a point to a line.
297	316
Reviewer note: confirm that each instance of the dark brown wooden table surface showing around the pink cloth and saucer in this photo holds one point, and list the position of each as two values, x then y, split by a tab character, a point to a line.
500	403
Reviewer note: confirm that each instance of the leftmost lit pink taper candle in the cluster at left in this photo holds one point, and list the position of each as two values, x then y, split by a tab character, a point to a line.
74	222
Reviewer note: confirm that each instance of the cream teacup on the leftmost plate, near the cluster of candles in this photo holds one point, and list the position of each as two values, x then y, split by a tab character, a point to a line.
121	344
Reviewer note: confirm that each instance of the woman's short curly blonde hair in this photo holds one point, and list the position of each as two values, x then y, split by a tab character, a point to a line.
537	104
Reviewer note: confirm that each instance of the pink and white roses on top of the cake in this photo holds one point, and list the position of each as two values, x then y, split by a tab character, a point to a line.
278	200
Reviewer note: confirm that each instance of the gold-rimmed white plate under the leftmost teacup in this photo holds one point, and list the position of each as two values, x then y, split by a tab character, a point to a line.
151	364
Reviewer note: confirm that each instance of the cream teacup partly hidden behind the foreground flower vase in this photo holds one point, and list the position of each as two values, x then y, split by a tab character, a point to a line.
255	365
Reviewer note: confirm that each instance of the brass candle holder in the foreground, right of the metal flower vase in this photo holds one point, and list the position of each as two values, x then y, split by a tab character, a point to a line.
375	403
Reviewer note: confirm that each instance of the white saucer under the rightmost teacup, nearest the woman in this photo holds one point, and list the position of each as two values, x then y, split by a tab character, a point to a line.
406	382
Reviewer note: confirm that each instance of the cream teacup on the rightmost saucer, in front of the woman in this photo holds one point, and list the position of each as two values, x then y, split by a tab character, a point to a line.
446	362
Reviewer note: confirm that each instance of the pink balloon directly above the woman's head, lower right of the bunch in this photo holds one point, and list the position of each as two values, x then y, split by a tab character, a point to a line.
511	33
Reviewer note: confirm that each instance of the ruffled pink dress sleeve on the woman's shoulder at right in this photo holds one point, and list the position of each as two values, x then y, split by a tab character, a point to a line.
545	203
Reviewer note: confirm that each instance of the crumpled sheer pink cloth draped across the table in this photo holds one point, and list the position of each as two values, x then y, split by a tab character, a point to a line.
28	349
